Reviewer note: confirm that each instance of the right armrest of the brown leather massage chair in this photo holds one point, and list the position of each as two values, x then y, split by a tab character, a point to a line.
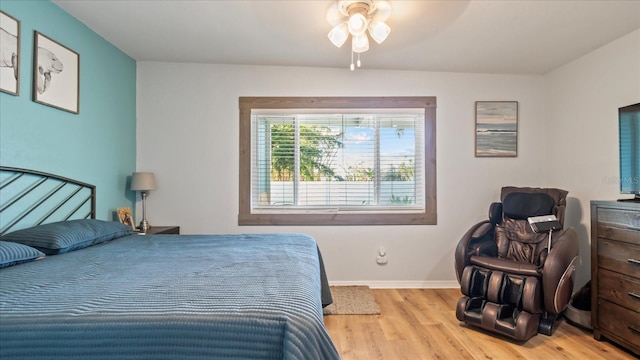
558	270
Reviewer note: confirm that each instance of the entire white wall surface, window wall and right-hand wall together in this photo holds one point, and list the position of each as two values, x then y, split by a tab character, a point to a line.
188	135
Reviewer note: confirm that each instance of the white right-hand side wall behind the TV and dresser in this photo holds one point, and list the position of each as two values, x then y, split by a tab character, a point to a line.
582	101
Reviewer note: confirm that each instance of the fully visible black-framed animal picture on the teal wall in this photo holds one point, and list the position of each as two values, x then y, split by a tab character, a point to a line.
56	74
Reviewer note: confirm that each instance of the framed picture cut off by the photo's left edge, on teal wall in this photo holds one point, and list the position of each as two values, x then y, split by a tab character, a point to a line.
9	54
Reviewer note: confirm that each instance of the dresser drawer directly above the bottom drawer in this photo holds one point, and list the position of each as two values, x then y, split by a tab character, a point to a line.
620	289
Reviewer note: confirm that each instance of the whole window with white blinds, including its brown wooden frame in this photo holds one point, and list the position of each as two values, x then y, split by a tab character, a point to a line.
337	161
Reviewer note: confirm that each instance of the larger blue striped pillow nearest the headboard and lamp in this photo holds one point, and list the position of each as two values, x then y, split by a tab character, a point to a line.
65	236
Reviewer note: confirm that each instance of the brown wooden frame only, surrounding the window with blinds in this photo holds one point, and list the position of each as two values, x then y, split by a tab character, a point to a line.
428	217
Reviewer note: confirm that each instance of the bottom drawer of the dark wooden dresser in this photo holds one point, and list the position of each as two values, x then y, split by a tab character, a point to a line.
620	322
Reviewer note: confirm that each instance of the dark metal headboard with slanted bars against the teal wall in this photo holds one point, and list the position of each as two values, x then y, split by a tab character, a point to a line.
29	198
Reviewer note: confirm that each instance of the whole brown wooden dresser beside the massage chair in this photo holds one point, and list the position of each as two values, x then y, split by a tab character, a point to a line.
615	272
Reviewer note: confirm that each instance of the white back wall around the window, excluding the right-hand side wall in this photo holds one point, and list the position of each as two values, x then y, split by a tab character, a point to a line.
188	135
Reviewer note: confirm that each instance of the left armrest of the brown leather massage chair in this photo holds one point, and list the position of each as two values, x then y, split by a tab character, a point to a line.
478	240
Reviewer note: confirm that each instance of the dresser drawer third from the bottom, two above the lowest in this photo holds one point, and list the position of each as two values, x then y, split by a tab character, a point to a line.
619	256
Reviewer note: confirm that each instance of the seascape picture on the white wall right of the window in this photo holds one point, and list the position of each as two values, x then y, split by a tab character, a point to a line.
496	128
